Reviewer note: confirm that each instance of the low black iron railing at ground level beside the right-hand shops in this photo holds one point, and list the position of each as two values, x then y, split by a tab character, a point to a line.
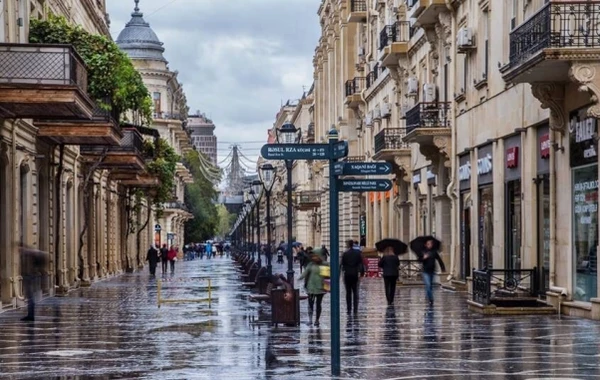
509	282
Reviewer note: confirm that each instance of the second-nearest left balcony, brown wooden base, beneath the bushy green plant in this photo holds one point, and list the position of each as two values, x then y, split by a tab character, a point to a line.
103	129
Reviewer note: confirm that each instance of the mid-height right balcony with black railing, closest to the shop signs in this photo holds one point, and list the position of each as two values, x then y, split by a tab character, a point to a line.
428	124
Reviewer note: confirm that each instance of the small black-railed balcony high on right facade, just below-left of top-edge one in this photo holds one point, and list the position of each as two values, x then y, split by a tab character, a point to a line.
393	42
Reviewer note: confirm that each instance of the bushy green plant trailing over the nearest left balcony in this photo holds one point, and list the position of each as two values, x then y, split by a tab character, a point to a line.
111	74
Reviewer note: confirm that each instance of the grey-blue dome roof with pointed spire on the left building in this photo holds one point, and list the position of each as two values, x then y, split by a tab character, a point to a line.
138	39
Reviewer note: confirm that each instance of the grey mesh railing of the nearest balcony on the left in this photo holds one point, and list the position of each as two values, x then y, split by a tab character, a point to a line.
35	64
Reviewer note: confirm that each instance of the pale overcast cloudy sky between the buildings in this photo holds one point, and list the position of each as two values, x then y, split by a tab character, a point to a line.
238	59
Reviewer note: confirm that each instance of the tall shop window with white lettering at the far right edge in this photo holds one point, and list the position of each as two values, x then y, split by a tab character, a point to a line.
585	231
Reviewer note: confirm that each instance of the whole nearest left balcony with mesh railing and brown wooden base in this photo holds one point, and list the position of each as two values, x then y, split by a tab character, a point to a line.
43	82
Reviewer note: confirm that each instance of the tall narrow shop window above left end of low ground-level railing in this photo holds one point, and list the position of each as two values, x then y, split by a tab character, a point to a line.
486	226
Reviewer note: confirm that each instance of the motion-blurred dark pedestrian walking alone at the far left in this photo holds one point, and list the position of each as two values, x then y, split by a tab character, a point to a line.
33	265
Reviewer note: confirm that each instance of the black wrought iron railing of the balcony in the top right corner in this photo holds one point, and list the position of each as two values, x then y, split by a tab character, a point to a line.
558	24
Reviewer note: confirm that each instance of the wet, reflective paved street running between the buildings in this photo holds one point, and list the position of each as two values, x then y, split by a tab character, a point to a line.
115	330
